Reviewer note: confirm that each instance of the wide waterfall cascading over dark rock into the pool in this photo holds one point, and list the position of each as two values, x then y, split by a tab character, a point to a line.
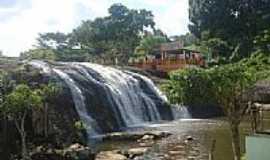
107	99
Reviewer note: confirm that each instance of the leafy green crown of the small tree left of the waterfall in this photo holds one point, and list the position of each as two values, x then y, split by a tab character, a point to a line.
20	100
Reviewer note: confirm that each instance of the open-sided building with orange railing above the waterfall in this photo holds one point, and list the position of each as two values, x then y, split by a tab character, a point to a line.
171	56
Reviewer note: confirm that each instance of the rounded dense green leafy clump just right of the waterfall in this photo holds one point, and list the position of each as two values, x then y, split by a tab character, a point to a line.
188	87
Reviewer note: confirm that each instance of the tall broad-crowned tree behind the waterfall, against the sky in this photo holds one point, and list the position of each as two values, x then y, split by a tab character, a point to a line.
121	30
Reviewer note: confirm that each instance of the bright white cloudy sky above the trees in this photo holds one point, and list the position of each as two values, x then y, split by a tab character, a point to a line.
22	20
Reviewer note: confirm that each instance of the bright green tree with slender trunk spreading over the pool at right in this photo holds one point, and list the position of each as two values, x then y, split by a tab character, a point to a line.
227	86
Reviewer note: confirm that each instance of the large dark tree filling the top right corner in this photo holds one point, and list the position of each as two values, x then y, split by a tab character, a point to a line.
235	22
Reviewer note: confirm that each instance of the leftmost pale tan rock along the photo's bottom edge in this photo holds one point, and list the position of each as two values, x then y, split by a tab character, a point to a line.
110	155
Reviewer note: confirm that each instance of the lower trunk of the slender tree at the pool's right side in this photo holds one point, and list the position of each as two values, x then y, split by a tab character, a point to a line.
236	140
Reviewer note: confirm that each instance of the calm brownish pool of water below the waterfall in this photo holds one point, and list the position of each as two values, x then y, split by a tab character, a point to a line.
203	132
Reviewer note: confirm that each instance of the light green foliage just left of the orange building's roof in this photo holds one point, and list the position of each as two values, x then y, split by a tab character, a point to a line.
149	44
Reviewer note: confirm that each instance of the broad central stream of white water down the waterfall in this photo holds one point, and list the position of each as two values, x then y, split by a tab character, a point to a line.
126	91
